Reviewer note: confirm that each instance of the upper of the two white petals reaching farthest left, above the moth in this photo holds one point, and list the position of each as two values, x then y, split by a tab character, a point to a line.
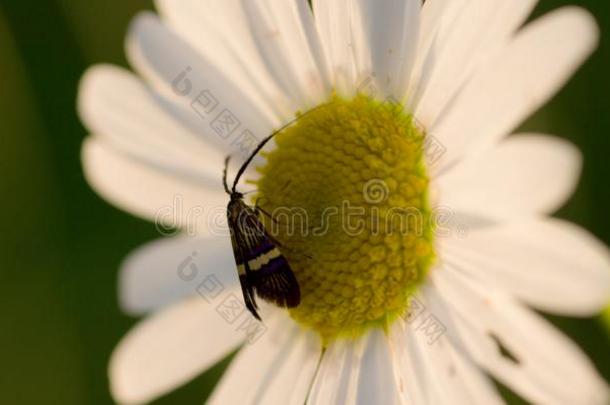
115	104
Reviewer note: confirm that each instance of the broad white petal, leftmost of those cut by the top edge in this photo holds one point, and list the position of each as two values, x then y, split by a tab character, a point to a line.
219	31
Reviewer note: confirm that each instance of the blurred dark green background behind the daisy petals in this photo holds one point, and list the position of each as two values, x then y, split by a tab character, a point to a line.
61	245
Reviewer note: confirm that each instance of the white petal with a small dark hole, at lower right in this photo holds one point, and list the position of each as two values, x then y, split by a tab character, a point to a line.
541	358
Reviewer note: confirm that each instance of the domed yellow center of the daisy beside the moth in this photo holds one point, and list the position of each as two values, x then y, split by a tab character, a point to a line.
347	188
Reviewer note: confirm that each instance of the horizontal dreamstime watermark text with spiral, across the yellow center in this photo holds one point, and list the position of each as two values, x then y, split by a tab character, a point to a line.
373	216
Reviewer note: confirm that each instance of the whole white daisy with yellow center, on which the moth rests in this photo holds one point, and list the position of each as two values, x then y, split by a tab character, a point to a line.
418	101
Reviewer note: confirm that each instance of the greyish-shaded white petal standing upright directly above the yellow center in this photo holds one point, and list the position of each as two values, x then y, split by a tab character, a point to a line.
390	31
